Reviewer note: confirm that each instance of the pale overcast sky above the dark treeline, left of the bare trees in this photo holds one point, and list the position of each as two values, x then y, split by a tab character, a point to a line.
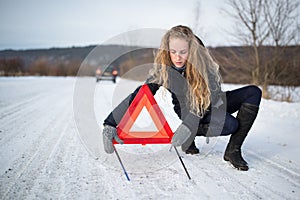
29	24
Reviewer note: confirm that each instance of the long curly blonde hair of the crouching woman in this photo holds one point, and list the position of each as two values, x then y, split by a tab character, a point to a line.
199	64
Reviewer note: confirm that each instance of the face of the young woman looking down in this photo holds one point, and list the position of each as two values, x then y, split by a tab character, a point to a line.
179	51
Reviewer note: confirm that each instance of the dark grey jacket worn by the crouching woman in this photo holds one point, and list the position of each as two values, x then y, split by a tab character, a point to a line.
177	85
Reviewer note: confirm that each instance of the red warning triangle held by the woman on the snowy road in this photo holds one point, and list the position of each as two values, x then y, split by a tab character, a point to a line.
144	98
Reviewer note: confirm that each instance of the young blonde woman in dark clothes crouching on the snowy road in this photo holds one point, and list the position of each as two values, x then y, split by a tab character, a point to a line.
184	66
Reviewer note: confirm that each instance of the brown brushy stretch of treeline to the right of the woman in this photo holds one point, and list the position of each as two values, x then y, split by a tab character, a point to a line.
278	65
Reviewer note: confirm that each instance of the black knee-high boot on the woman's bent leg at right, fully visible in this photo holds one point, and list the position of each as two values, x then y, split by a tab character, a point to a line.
245	117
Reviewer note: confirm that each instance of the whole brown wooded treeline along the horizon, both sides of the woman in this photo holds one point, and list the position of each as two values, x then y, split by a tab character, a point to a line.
278	66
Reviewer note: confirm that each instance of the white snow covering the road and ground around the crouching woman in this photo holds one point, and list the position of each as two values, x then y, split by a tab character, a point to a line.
51	148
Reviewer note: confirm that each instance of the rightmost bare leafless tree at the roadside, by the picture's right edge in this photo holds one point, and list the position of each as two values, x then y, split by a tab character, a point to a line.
281	17
